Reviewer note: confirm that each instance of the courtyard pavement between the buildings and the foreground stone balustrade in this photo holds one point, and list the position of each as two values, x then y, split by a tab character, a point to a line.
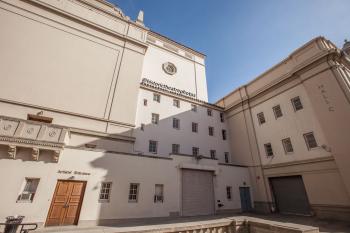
325	226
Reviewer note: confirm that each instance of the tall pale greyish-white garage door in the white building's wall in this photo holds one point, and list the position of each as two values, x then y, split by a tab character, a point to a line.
197	192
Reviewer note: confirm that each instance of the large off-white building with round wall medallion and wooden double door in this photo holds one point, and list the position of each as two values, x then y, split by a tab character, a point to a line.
103	120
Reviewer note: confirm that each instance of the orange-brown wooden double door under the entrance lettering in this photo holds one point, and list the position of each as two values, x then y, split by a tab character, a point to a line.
66	203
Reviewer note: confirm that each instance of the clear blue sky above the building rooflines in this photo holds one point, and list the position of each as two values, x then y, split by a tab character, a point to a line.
242	38
